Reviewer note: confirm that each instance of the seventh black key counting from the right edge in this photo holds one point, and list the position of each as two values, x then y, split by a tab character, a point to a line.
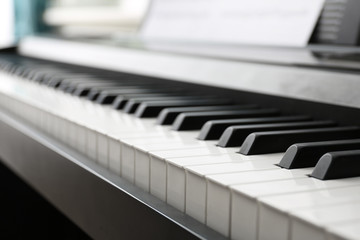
168	115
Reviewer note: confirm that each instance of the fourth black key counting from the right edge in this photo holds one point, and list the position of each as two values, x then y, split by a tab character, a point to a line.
235	135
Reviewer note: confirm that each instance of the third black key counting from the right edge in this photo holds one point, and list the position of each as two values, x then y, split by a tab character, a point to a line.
279	141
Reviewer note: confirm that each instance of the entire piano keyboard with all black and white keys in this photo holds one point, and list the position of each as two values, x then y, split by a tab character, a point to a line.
245	171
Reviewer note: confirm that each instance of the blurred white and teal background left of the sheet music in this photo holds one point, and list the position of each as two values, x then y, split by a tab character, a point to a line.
86	18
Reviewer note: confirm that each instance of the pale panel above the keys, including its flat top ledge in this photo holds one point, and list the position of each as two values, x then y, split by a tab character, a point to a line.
284	72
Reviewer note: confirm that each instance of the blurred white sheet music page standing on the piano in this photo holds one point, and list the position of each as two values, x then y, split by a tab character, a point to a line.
259	22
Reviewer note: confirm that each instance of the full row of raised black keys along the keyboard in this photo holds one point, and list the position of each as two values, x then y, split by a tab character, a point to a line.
256	130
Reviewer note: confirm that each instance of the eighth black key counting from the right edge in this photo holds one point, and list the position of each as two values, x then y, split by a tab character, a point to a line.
152	109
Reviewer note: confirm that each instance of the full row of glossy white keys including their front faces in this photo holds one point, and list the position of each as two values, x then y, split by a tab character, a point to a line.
225	190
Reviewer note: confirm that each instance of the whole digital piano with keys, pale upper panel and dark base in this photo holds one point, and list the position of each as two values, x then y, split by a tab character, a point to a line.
145	140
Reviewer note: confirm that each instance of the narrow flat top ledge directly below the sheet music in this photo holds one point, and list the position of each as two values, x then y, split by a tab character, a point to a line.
331	57
